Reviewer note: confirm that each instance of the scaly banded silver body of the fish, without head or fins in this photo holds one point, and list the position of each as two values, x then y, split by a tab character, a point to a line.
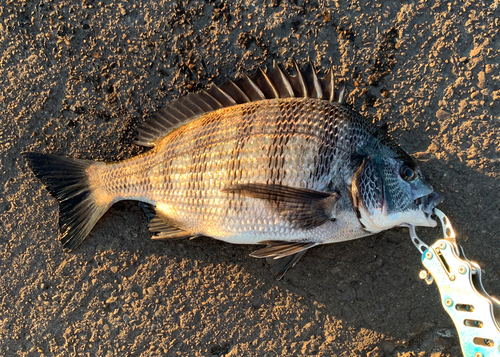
302	143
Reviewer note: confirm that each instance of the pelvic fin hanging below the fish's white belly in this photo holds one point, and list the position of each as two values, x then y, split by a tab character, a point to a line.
282	255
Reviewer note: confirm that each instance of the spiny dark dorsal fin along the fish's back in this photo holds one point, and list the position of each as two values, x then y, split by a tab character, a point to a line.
260	86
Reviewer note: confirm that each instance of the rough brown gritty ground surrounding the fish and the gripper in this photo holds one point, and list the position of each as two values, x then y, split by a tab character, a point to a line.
76	77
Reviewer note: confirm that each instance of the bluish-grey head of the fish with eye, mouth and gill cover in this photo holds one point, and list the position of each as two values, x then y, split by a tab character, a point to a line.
390	192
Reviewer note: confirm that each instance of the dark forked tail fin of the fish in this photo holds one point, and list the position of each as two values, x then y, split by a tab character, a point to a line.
67	181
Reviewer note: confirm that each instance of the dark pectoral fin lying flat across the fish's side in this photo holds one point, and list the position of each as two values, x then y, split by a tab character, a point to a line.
306	209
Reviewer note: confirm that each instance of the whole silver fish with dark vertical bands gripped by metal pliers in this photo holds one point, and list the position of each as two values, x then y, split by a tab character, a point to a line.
273	158
